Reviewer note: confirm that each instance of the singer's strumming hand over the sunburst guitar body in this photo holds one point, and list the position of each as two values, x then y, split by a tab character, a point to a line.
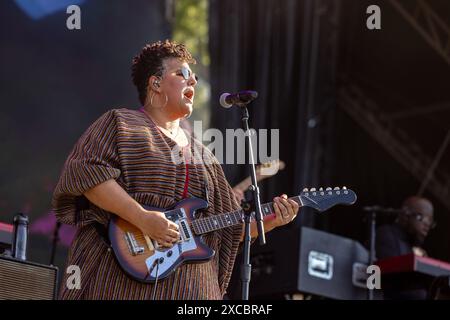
155	225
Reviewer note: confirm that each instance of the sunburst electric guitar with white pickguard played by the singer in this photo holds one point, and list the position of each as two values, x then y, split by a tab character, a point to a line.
144	260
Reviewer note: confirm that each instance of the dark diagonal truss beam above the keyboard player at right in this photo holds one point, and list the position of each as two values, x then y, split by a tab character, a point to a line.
396	141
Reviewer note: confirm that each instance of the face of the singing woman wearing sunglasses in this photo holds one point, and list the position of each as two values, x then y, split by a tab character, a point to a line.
178	83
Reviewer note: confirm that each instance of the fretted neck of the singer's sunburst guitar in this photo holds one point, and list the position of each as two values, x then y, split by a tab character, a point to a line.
225	220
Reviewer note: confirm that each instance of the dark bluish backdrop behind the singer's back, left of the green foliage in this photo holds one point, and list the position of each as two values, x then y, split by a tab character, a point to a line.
54	83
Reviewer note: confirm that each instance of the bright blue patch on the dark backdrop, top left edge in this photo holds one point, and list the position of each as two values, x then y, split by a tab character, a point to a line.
37	9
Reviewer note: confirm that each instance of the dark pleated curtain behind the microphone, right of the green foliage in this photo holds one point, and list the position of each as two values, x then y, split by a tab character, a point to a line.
274	47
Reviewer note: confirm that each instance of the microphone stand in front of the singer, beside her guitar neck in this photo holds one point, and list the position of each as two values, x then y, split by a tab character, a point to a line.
252	203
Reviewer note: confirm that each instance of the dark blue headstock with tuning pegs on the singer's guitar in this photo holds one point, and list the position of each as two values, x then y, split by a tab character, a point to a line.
323	199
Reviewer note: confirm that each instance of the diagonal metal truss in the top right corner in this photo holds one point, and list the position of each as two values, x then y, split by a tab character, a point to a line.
427	23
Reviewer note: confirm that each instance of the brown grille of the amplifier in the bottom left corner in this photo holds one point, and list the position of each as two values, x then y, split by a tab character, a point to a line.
23	280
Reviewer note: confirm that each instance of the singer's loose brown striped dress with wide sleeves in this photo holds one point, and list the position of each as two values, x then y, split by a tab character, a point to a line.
125	145
